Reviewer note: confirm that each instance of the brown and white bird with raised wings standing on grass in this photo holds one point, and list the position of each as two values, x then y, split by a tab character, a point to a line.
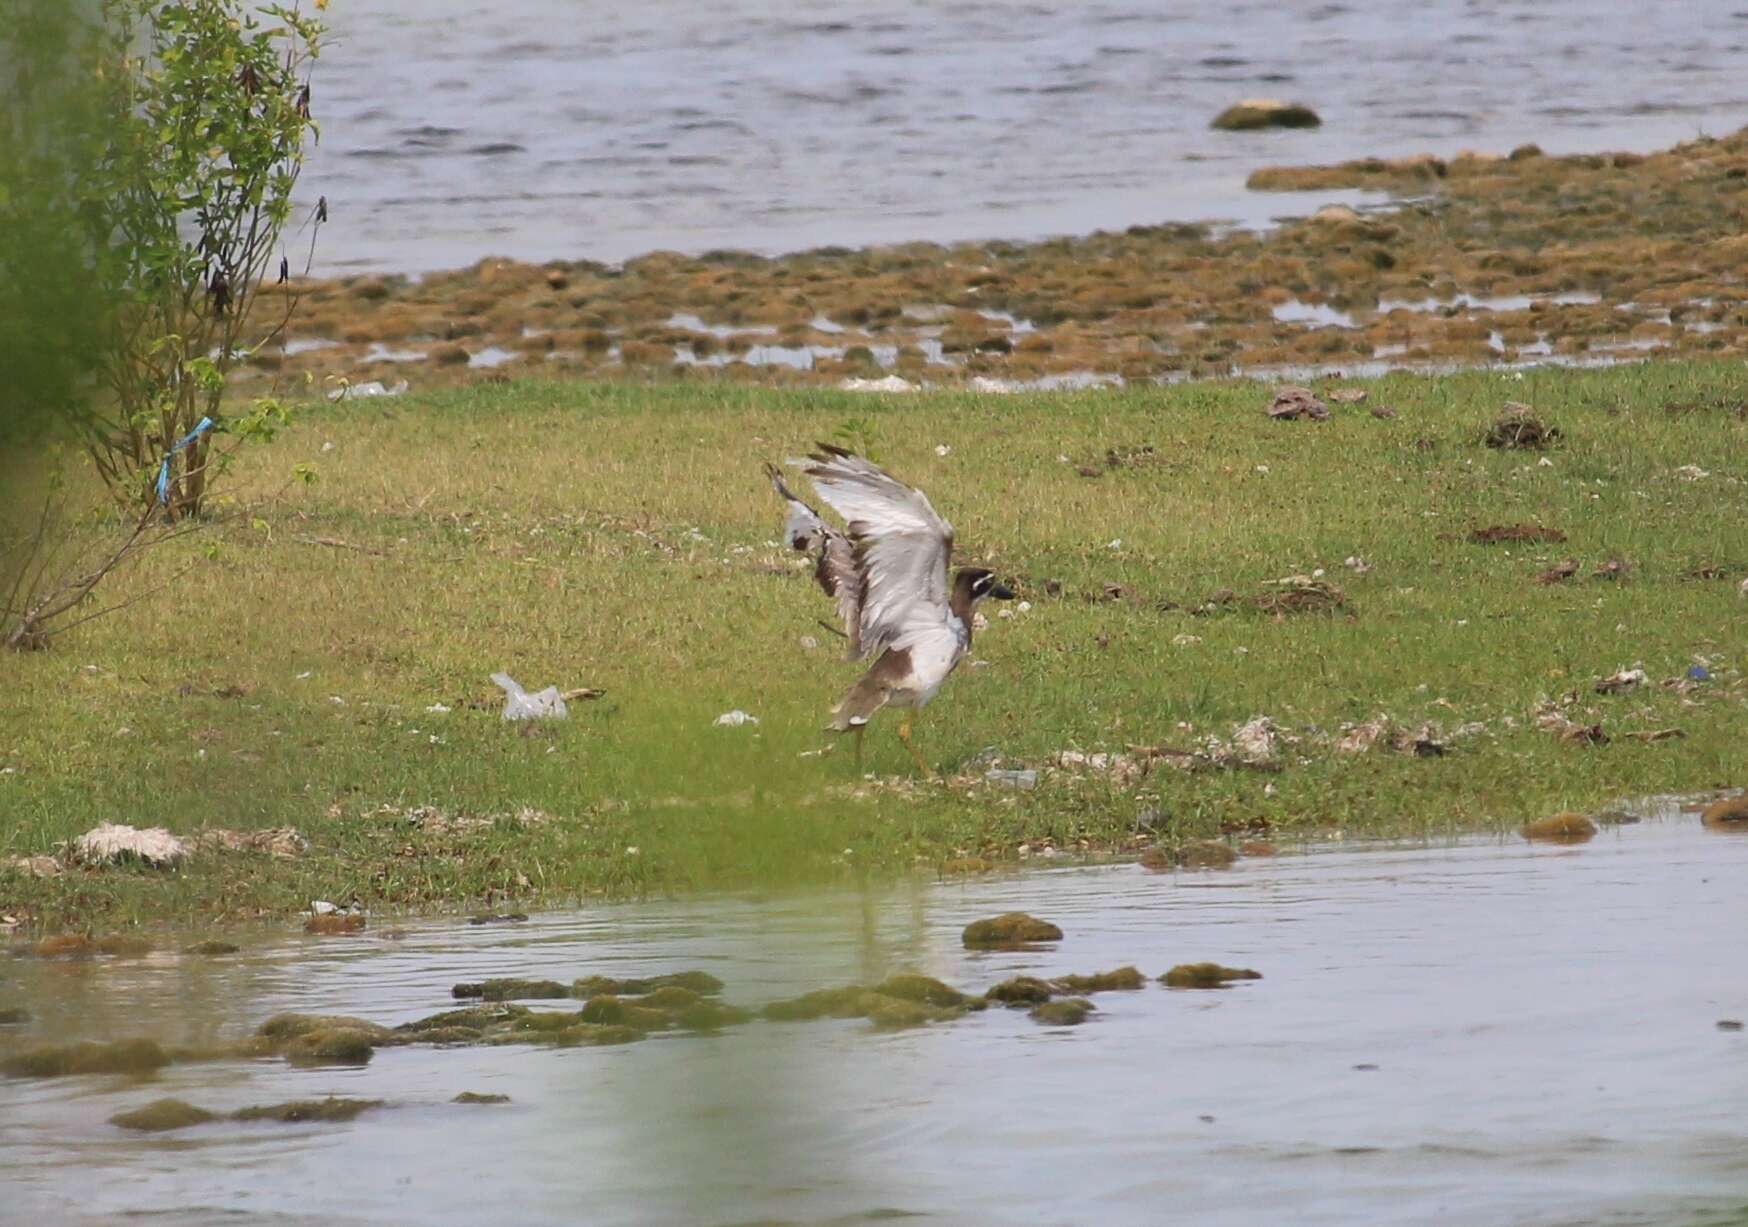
889	574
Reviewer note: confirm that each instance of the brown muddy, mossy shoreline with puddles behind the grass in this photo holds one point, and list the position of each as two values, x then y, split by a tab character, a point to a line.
1476	260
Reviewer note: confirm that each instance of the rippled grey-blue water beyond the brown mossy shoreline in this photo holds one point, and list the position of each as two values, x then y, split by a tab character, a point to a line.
579	128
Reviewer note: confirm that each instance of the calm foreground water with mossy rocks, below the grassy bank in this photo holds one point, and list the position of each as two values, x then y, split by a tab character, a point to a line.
1541	1020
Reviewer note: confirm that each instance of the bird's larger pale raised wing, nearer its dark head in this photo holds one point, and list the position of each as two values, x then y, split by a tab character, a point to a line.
903	546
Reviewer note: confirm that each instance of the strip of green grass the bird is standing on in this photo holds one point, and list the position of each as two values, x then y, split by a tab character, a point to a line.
625	539
